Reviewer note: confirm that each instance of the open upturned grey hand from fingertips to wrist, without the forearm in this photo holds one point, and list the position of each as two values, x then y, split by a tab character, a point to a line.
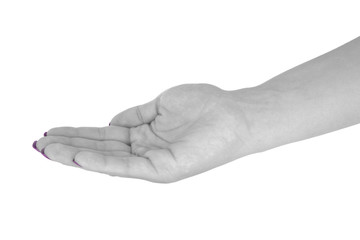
186	130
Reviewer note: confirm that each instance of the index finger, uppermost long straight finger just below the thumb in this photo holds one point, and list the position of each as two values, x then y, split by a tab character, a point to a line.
104	133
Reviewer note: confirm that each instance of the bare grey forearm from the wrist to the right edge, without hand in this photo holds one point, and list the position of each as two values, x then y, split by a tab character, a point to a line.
314	98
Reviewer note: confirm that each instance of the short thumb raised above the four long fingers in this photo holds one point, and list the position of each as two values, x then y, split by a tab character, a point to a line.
136	116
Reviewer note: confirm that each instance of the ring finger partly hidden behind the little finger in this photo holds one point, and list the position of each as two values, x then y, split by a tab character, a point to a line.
65	154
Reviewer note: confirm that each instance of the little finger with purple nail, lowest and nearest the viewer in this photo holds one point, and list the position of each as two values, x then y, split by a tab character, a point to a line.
132	167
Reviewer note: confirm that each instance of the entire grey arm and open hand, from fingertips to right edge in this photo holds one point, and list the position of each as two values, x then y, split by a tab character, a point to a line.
192	128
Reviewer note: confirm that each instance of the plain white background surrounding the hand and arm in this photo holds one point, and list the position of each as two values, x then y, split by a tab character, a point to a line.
78	63
